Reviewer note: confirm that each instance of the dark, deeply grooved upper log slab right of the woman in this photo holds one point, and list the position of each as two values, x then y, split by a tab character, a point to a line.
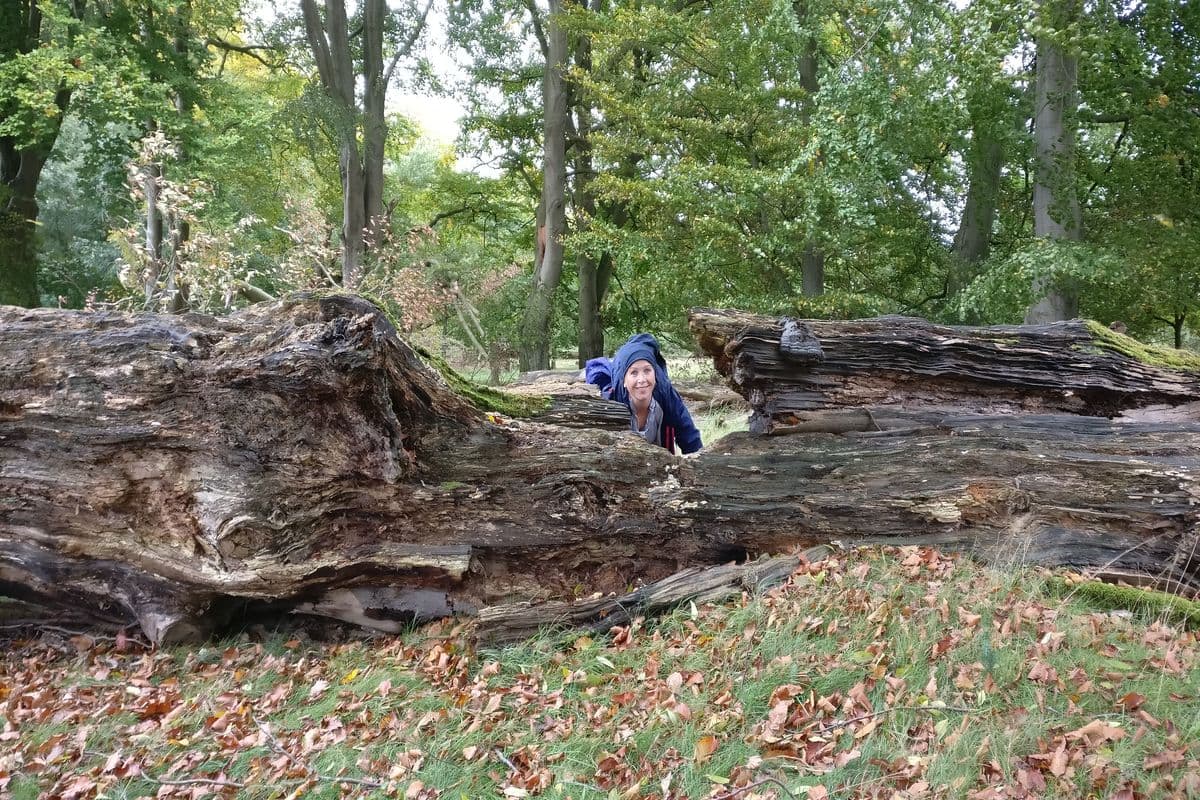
789	369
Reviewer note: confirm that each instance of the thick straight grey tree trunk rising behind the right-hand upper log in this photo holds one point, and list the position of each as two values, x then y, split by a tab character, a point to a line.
1057	214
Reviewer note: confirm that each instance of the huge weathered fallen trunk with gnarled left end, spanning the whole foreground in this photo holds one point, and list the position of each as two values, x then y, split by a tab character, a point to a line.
176	471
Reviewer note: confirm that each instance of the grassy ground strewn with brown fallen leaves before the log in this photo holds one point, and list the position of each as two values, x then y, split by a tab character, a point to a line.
878	673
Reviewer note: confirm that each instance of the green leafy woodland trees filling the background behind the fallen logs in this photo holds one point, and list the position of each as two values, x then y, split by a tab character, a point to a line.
991	161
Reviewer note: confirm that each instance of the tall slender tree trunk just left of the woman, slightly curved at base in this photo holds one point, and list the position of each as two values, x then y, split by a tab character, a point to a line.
535	350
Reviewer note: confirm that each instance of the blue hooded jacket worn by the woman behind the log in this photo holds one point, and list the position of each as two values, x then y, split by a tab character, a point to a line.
610	377
